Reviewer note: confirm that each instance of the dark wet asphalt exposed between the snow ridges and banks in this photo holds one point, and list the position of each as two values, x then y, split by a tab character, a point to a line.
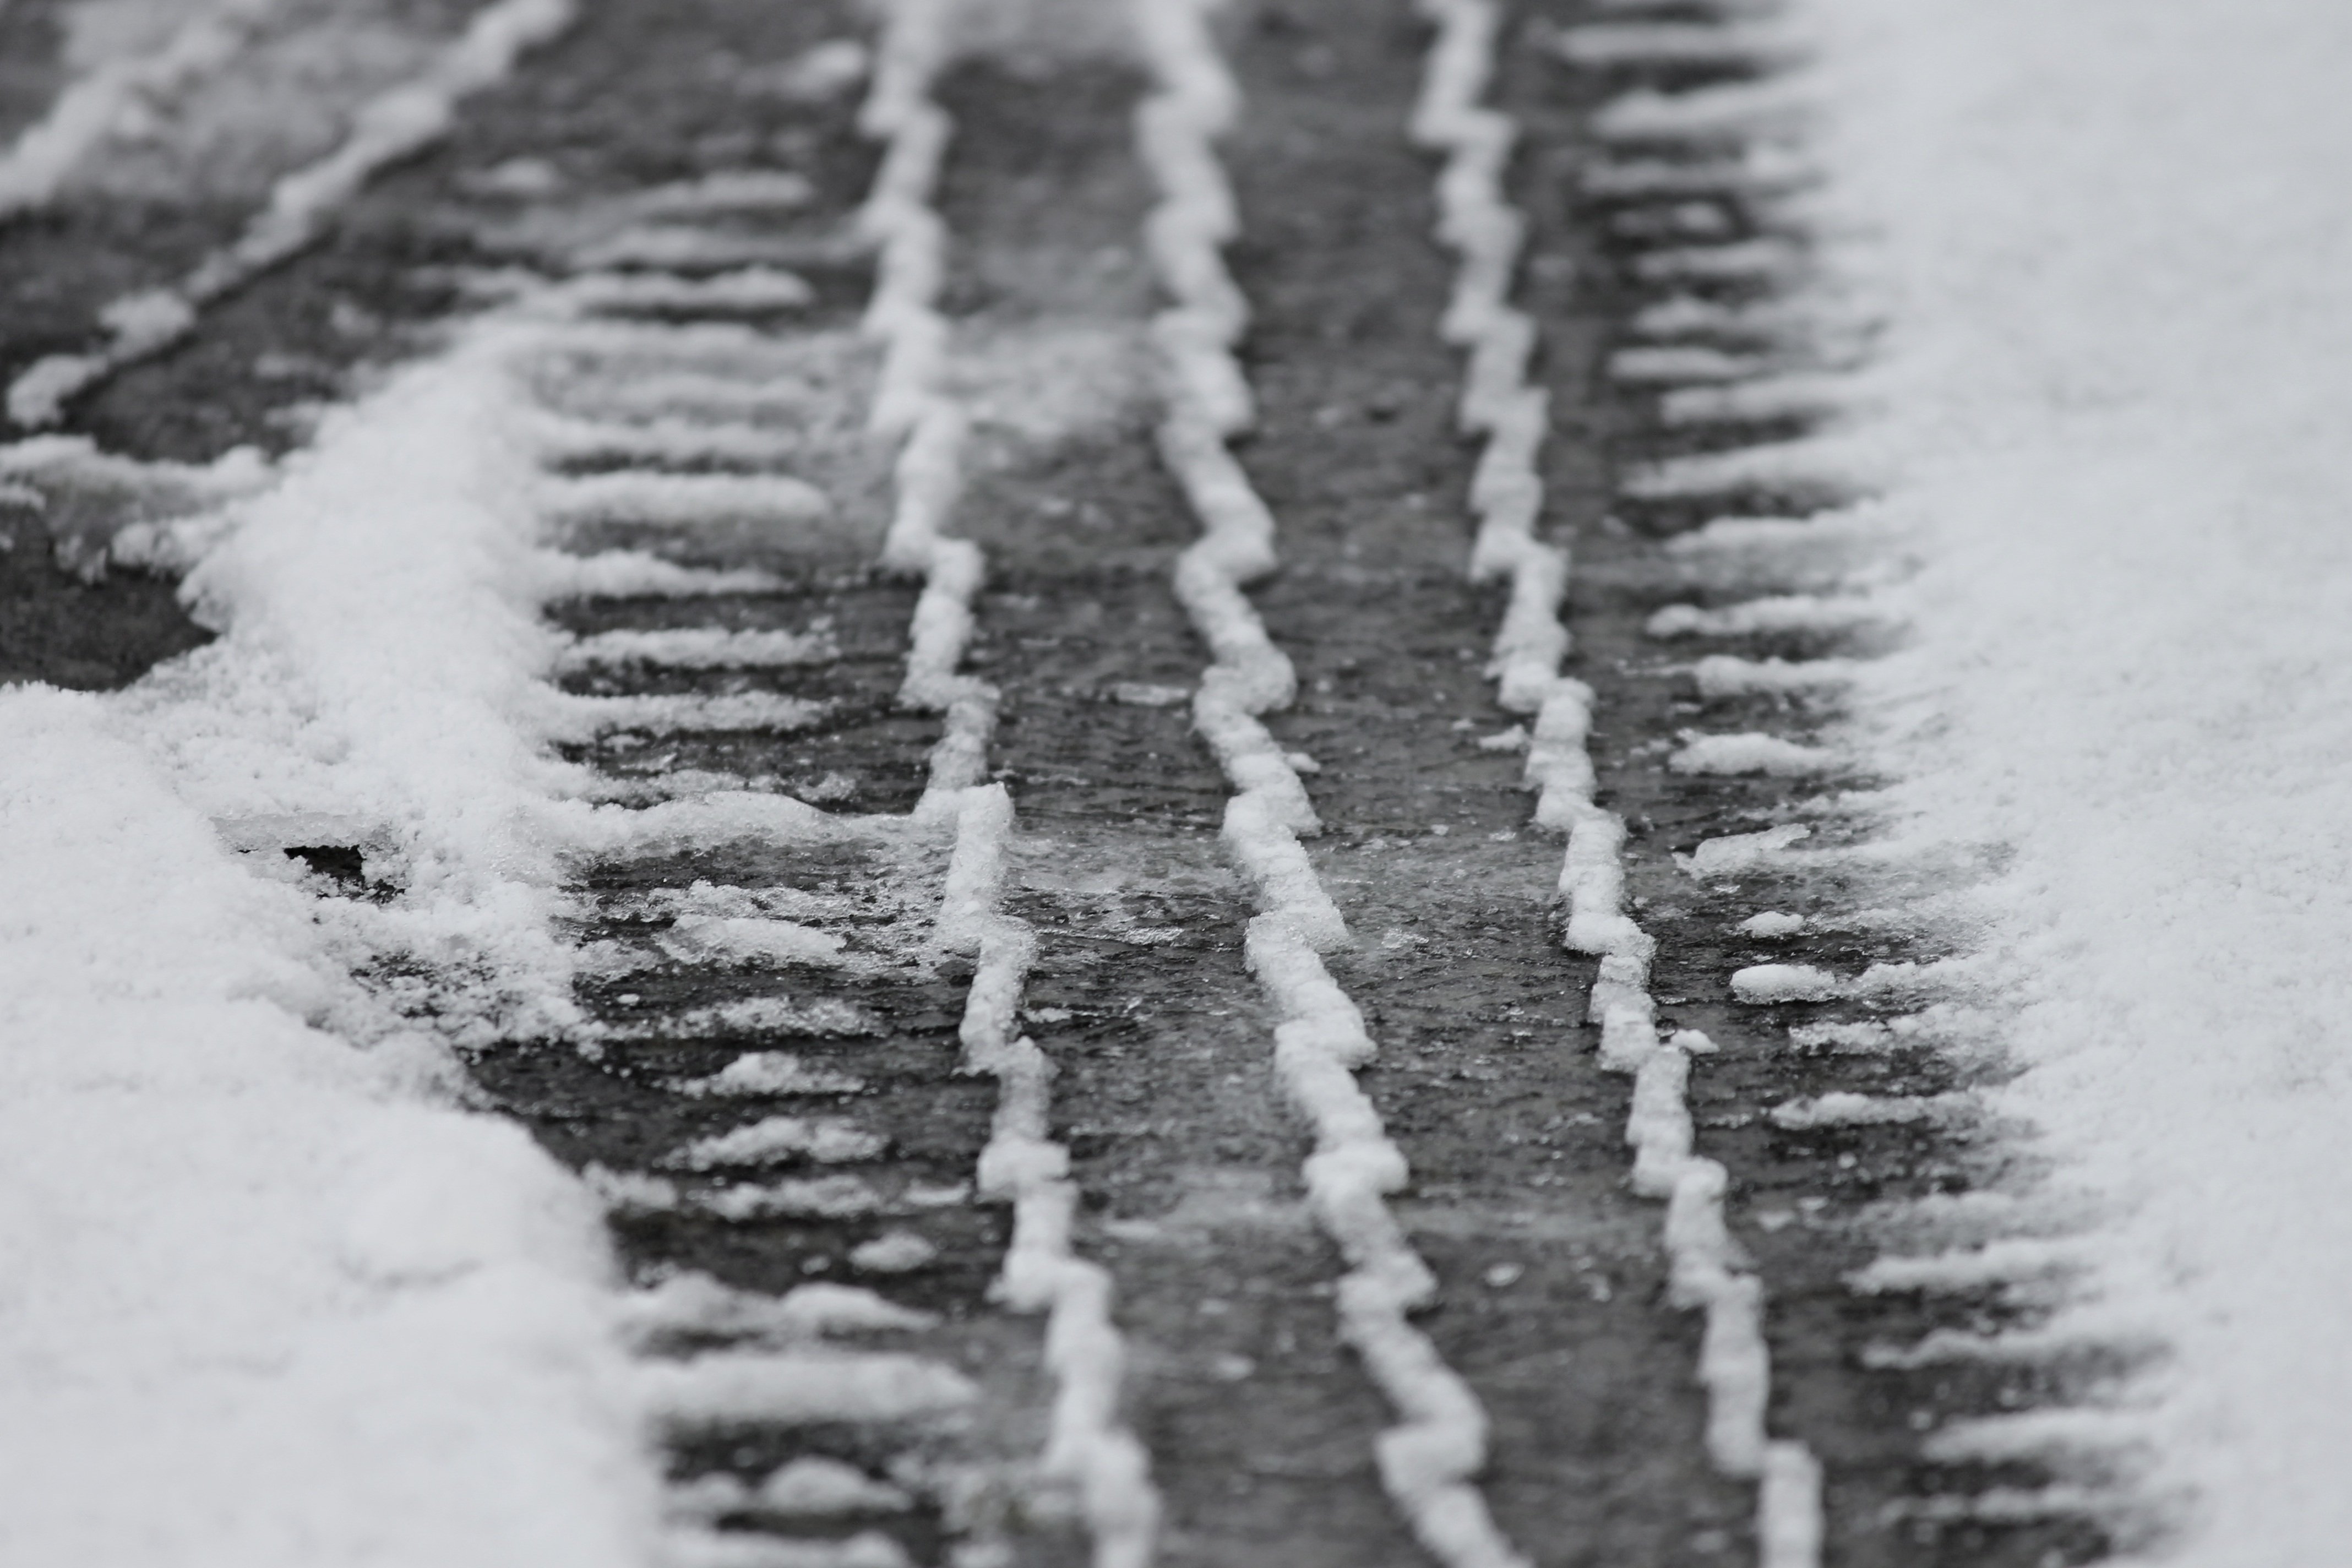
1187	1153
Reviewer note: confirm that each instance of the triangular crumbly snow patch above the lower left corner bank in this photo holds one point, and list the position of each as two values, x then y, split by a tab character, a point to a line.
380	669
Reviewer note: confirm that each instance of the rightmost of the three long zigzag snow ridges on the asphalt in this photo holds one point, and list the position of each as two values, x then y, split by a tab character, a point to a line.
1506	495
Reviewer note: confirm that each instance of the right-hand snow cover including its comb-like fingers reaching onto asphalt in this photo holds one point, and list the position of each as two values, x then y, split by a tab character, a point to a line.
2109	255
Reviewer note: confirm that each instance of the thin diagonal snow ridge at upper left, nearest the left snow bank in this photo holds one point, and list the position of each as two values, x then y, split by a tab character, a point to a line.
392	126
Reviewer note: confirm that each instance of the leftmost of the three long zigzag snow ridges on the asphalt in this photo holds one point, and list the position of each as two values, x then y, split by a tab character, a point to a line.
1088	1442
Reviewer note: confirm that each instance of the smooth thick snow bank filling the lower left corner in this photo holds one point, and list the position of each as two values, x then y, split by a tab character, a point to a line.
262	1304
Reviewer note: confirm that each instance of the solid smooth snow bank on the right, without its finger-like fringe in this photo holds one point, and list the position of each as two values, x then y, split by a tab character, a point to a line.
2118	260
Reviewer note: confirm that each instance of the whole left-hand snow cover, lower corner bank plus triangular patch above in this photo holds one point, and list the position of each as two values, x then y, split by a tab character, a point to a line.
274	1299
